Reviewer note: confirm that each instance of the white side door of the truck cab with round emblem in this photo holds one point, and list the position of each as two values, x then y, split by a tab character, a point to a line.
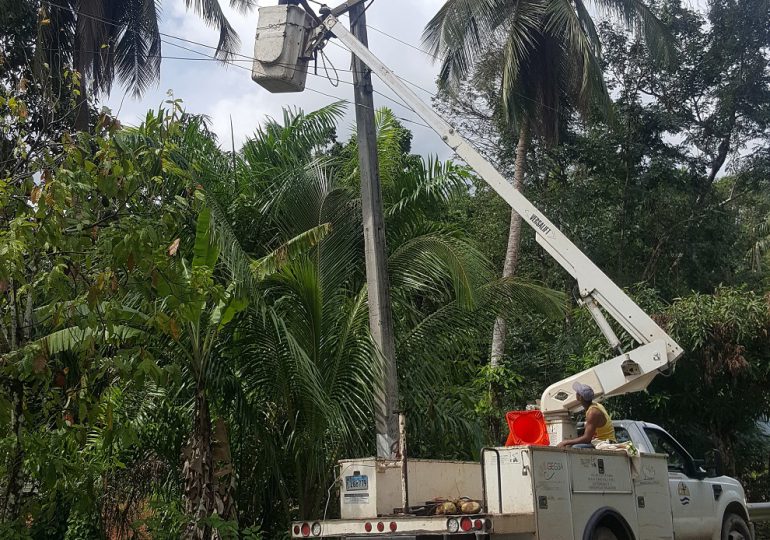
692	499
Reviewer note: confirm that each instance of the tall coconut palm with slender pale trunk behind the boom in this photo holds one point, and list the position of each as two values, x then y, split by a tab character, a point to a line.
548	52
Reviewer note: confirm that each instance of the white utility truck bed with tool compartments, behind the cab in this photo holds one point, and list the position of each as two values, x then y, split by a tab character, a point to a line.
526	492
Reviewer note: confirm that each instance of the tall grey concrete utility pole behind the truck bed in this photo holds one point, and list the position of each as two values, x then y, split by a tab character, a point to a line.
380	316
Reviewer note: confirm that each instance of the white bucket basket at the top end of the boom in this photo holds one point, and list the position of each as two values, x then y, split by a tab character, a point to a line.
279	46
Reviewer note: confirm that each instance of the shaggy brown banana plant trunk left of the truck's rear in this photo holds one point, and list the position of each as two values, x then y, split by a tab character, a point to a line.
199	485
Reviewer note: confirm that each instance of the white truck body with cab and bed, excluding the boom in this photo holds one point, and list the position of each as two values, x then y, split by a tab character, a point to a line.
544	493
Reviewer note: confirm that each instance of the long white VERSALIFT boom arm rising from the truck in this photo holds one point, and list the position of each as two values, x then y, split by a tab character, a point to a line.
629	371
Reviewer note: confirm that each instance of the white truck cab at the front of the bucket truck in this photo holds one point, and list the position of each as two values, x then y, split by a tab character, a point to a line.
703	505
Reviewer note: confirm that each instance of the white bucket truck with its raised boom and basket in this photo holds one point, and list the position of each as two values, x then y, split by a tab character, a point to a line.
523	492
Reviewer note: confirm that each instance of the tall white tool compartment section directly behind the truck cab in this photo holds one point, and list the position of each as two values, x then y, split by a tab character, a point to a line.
566	489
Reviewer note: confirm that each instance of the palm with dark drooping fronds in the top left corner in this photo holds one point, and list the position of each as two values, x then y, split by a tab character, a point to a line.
108	40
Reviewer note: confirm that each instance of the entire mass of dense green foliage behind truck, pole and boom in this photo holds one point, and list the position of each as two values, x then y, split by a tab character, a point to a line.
184	343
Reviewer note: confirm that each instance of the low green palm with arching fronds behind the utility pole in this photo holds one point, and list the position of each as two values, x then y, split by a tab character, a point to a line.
312	381
